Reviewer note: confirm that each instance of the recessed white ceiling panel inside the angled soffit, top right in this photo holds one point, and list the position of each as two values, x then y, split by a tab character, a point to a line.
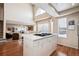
64	6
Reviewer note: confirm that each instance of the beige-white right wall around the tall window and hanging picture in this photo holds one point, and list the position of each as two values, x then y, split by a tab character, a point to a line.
72	38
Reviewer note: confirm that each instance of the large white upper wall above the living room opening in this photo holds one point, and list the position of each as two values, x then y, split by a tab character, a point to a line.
19	13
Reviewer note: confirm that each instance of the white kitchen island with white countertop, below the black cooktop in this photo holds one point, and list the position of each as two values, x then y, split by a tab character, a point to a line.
39	45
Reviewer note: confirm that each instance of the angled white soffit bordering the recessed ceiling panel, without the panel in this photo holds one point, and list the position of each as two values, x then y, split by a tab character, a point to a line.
51	10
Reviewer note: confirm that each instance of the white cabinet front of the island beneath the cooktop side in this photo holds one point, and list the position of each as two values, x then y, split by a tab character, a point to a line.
44	46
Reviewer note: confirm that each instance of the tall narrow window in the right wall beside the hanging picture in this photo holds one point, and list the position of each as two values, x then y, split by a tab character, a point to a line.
62	27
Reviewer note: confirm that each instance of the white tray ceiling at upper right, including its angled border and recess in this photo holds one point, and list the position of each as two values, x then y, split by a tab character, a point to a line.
59	9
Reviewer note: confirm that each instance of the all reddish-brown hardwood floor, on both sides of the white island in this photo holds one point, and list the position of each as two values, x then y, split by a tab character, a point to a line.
14	48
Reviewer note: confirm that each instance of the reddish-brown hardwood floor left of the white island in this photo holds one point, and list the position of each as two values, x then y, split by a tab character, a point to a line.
11	48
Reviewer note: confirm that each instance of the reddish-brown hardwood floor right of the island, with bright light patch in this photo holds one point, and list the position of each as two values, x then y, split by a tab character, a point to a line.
65	51
